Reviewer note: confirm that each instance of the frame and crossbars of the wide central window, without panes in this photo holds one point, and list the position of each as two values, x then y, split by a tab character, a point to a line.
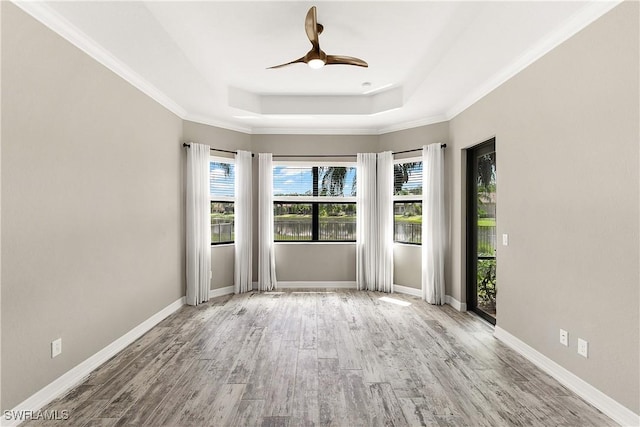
315	200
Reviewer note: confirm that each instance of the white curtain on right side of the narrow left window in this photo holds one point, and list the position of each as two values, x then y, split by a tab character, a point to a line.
243	223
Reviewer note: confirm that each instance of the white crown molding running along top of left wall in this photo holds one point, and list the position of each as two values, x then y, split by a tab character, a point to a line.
59	25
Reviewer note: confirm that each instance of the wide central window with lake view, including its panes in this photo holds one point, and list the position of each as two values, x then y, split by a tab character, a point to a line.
314	202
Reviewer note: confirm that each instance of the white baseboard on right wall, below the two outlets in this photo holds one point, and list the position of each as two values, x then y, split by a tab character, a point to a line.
604	403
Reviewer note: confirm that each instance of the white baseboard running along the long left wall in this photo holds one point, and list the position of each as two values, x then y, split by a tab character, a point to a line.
77	374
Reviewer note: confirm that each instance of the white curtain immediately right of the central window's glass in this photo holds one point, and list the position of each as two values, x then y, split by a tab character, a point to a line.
366	225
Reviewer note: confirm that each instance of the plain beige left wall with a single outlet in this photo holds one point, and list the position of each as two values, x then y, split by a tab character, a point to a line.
92	209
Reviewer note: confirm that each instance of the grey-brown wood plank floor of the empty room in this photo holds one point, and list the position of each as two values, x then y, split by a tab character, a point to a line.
306	358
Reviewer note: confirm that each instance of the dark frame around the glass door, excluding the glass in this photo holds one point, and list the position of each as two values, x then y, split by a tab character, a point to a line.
473	153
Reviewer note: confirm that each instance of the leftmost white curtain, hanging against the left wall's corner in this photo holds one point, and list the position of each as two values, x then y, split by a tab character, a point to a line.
198	225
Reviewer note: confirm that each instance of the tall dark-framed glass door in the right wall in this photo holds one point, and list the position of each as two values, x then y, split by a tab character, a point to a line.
481	230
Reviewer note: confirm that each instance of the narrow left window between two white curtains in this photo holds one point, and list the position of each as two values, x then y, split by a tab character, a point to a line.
222	195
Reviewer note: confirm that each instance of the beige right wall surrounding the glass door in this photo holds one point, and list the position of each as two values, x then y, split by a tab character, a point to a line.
567	133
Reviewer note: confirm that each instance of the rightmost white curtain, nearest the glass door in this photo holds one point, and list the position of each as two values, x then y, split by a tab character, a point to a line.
433	224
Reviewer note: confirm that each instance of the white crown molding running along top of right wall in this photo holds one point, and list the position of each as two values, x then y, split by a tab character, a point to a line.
571	28
